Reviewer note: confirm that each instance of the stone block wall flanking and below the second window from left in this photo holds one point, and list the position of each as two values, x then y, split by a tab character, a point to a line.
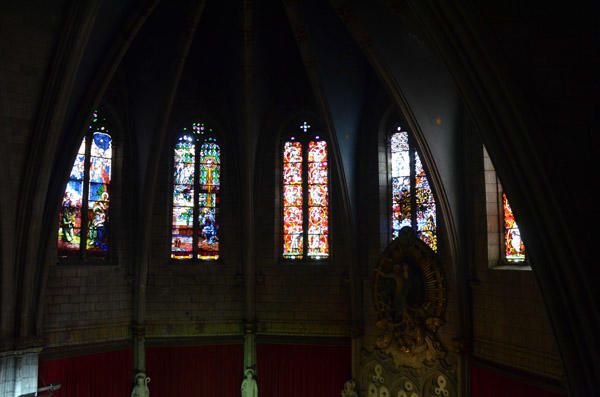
201	298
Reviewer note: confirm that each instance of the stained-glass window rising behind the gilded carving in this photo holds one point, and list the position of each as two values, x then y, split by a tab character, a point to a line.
412	200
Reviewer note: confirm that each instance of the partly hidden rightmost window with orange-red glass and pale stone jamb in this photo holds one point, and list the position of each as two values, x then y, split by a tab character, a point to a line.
505	245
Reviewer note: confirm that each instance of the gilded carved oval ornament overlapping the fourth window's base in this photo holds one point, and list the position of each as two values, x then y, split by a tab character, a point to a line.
410	301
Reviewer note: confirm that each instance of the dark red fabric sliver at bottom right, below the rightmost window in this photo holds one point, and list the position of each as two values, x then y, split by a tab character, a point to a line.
488	383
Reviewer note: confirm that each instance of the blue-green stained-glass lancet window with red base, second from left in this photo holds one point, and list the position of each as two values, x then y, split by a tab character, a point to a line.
196	194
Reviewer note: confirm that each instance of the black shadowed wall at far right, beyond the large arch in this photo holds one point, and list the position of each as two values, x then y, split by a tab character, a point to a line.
536	75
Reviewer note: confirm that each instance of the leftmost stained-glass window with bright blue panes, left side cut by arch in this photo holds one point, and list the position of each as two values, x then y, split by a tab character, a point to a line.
83	215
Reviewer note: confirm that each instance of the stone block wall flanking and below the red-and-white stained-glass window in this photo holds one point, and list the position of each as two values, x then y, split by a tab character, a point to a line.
297	298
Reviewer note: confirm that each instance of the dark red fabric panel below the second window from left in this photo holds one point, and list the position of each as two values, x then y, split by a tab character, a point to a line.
203	371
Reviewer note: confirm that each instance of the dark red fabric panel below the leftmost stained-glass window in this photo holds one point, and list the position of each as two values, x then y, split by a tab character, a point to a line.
96	375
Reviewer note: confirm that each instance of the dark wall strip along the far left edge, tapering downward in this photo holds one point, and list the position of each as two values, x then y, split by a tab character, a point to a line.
29	40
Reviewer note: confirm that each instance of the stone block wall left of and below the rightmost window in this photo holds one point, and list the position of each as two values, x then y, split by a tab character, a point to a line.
510	325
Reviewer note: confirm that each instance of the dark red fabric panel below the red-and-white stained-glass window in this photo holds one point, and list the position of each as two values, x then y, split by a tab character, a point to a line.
302	370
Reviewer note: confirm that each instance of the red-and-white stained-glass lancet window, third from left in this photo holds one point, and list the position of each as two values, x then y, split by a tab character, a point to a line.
305	195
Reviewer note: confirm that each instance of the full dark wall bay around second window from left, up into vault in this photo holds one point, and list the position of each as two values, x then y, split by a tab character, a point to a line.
194	298
